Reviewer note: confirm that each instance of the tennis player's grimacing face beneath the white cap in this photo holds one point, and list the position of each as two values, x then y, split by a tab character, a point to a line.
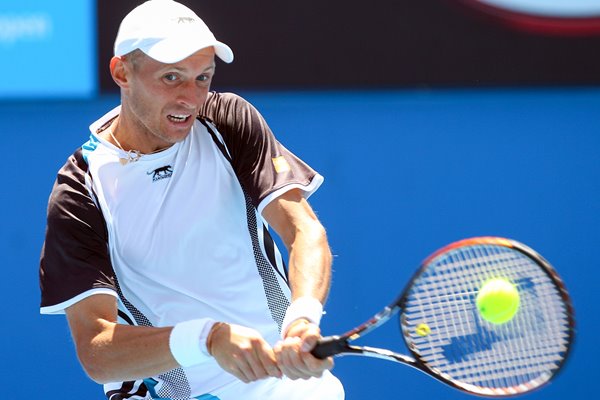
164	99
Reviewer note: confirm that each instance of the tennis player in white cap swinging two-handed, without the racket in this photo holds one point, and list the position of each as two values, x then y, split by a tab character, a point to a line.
157	247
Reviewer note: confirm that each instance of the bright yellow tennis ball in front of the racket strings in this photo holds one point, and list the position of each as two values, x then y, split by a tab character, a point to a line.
498	301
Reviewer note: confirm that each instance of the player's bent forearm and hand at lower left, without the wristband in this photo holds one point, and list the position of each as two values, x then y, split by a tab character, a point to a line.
111	352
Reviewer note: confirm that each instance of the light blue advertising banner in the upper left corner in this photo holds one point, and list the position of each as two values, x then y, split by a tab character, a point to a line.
48	49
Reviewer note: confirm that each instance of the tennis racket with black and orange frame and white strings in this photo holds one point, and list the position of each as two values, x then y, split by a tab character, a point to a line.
448	338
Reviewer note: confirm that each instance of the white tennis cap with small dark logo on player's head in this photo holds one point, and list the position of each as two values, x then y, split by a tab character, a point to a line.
168	32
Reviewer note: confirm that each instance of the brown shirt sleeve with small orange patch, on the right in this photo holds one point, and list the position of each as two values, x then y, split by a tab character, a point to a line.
265	168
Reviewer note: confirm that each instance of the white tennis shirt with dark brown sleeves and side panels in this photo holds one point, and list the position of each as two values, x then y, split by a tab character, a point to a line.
177	235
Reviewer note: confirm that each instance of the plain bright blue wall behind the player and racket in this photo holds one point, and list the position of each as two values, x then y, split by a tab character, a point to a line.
406	173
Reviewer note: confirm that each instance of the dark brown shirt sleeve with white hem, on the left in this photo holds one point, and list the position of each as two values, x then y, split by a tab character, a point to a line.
74	262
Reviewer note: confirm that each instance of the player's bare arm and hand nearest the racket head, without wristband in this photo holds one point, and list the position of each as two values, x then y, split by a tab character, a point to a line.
293	219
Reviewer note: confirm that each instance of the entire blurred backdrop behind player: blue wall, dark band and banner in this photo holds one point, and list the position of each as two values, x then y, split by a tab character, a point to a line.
431	120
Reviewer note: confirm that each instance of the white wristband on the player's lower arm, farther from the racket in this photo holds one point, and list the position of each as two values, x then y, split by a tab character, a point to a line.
188	341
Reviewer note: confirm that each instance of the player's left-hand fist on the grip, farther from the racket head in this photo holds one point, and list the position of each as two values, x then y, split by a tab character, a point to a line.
242	352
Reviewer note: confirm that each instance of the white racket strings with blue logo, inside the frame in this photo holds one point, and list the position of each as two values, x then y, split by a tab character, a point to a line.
461	345
